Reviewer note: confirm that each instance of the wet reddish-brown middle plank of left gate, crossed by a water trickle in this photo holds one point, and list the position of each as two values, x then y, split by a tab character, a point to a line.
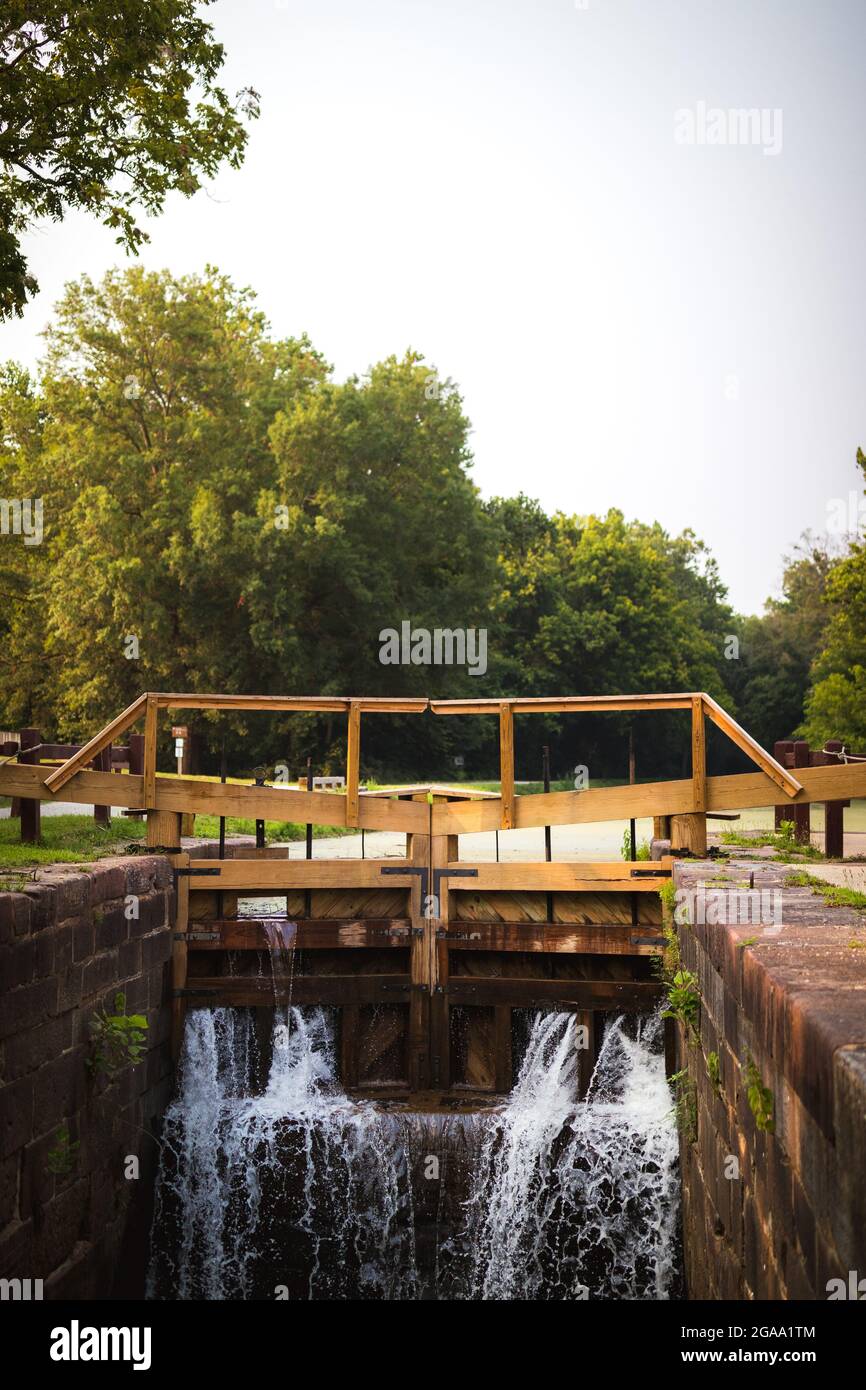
304	933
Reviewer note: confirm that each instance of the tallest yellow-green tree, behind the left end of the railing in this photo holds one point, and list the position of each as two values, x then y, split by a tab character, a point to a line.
154	415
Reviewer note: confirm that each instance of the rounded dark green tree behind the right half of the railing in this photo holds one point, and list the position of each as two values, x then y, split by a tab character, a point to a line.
601	605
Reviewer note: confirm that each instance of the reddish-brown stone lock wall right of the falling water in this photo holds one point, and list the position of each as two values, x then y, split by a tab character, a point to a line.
790	1214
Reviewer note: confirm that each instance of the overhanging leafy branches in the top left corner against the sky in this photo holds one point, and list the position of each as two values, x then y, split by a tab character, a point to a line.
106	108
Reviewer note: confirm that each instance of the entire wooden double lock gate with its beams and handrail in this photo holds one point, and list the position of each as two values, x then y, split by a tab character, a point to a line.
429	957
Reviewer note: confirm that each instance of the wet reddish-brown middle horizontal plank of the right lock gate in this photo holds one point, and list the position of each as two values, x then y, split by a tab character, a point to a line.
582	939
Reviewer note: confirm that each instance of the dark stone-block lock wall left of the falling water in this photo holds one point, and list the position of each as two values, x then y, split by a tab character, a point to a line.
69	943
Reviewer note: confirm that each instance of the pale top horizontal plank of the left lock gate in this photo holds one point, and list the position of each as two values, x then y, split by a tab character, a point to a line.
265	875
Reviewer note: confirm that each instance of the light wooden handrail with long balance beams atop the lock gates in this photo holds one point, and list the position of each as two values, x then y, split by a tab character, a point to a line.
686	801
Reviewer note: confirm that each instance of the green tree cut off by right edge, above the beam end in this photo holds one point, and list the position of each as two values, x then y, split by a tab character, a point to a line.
836	705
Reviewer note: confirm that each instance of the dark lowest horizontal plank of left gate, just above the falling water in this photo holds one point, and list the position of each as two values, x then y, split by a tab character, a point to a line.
263	992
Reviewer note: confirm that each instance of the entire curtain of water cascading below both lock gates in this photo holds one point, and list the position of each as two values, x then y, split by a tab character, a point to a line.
295	1191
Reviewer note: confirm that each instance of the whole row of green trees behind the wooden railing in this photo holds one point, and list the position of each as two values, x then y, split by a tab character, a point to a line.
220	515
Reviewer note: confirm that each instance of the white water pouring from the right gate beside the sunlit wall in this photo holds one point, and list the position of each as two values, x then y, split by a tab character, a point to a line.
579	1200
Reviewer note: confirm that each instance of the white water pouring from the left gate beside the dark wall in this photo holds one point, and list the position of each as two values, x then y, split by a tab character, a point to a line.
295	1193
